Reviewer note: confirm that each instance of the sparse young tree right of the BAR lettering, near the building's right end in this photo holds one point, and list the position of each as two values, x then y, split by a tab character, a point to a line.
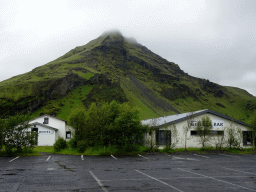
234	135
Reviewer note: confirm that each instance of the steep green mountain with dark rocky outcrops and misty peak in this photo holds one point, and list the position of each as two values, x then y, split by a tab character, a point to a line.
115	67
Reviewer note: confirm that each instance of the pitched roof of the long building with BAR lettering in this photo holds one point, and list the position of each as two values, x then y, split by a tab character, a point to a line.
168	120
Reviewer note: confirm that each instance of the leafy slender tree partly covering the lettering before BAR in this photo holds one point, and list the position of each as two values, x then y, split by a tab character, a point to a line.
203	129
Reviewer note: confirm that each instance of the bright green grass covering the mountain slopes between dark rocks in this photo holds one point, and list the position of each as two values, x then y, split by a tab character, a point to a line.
95	61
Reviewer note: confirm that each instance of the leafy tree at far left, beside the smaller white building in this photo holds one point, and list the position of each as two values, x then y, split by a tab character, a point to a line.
18	135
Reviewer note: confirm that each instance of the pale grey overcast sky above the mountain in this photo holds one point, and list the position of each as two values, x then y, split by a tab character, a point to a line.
212	39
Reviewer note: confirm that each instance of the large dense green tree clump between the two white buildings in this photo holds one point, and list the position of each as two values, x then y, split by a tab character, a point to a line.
108	124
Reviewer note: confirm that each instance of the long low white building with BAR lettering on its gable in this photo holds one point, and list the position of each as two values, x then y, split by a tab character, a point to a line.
186	134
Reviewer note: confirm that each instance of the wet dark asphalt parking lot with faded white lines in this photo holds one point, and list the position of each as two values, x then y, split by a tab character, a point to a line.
190	172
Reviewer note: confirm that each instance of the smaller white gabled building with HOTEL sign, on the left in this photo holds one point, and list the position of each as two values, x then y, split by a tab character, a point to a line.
49	129
